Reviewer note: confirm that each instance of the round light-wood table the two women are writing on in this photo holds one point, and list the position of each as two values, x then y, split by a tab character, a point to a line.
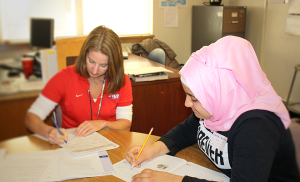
125	139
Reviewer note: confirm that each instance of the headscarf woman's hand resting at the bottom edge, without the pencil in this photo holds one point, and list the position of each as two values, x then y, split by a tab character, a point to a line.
148	175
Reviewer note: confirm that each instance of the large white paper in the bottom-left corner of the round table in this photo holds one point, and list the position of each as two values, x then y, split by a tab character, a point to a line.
53	165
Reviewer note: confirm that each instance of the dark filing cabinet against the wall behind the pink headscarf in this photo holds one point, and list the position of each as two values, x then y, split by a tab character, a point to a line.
210	23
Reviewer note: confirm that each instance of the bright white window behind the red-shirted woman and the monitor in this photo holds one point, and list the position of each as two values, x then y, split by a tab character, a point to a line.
75	17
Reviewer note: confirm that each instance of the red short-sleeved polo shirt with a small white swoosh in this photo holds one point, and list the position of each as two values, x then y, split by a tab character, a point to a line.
70	90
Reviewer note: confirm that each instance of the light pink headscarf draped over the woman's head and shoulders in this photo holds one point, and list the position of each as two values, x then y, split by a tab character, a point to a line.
227	80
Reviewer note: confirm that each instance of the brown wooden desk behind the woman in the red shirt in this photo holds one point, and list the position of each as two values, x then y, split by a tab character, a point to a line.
158	104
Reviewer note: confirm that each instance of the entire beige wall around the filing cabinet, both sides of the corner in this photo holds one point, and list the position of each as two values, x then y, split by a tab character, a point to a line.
265	24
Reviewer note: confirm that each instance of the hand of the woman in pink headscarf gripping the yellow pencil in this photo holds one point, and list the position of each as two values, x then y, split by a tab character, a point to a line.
146	155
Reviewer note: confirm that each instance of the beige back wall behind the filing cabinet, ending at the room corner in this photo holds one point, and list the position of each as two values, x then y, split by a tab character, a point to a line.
179	38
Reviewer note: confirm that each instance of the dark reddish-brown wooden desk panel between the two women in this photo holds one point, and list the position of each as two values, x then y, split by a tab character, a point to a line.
159	105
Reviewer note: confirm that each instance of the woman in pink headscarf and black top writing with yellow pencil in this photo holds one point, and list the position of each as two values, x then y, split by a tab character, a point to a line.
238	120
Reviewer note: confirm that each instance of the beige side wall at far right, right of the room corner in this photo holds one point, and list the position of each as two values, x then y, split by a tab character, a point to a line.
281	52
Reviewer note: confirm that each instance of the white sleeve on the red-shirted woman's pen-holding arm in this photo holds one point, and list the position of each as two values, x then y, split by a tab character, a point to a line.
42	106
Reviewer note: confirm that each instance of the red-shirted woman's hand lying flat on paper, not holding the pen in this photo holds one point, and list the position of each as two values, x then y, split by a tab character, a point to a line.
88	127
